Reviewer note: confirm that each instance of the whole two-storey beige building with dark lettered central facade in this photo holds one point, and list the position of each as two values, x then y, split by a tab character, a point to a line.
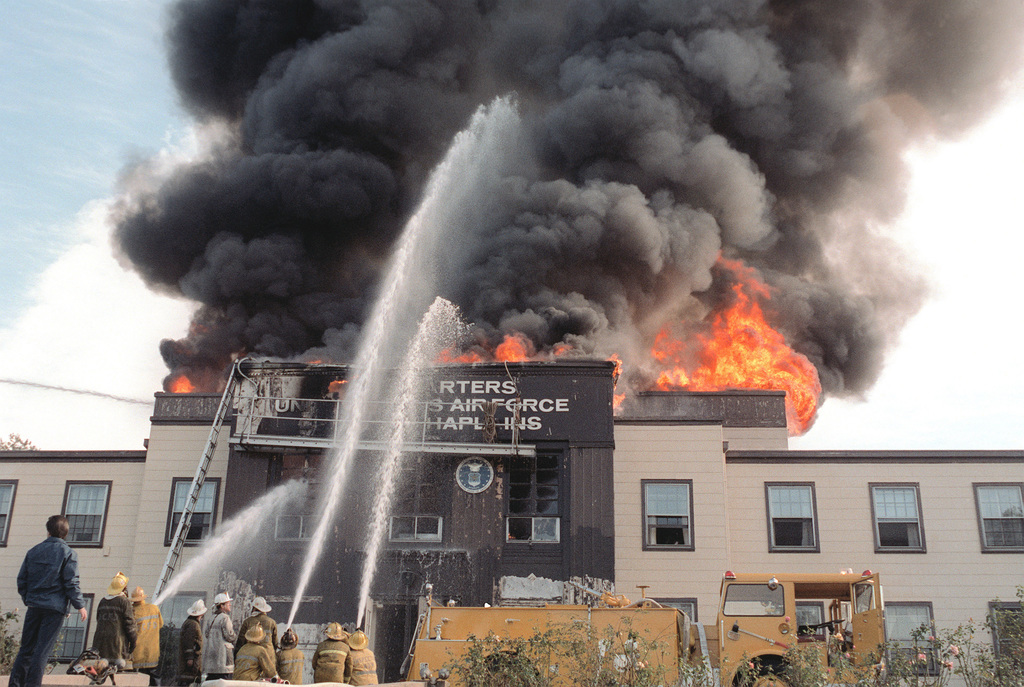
520	479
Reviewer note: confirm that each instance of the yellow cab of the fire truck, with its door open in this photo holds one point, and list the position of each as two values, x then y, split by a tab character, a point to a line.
758	623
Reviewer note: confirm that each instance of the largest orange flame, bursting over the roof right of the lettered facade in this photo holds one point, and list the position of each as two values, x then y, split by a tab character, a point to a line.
743	352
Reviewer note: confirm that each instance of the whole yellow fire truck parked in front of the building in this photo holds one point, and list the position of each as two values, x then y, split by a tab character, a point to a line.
756	629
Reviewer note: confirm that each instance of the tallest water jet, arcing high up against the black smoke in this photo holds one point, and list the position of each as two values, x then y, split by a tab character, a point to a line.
475	155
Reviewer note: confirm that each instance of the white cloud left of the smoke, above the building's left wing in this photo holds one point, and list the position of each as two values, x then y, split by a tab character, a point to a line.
95	327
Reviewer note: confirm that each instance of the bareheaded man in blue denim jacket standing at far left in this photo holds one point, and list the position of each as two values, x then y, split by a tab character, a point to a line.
49	585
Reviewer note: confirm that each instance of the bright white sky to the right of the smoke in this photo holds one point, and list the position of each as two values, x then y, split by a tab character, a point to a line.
957	380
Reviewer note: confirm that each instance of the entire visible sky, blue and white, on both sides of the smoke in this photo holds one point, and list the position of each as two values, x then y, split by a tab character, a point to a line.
86	89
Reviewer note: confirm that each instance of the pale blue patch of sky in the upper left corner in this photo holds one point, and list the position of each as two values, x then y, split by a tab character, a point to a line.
84	88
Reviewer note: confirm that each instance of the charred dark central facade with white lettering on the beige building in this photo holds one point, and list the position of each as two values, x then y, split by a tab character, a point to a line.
548	512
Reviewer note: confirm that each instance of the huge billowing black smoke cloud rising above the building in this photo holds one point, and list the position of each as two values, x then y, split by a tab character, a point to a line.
659	135
